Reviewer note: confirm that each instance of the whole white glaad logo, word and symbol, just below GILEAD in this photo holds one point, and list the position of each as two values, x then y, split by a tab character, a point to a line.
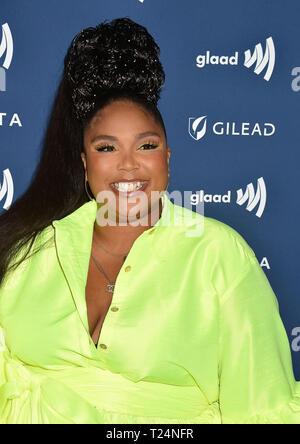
253	198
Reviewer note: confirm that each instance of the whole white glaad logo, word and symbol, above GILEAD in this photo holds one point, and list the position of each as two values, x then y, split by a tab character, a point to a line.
262	60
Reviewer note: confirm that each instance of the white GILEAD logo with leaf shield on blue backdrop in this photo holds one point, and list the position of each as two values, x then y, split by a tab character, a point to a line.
198	127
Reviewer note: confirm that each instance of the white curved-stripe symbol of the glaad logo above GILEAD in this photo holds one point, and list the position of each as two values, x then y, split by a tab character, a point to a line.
262	60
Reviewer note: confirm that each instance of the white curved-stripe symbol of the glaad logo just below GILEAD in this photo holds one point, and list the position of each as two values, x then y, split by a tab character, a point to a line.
253	198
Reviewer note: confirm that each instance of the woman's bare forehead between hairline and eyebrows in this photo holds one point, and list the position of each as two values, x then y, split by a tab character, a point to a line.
122	116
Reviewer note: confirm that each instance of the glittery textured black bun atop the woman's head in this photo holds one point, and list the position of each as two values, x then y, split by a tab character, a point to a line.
119	55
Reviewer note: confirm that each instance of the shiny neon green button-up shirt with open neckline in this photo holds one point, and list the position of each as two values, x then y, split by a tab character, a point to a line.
193	333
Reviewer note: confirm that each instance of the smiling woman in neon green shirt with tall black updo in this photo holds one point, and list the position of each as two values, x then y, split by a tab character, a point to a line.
133	320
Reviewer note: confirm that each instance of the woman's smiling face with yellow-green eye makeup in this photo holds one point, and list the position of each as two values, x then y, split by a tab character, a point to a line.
123	142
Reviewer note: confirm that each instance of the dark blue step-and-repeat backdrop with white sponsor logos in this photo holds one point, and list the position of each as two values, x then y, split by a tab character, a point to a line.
230	105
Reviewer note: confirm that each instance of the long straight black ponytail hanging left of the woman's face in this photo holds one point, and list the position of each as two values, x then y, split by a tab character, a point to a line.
56	189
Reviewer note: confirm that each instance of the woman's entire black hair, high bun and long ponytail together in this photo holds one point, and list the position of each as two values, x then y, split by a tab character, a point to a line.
114	60
